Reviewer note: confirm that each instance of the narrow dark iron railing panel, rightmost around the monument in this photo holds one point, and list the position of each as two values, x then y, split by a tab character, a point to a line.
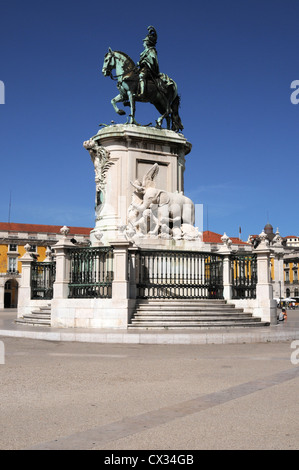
244	276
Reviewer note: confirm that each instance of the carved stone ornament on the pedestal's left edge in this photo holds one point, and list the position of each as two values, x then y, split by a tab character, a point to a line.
101	160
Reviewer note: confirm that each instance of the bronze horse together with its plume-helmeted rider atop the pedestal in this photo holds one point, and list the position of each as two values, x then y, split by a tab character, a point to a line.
143	82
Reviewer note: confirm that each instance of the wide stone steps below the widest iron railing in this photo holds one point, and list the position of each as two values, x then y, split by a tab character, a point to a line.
197	313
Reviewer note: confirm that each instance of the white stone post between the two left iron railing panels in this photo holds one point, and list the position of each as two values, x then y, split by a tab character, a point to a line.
60	286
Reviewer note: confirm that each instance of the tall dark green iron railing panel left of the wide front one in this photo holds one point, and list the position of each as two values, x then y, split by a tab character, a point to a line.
91	272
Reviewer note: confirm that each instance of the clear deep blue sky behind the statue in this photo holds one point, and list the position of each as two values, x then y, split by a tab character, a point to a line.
234	62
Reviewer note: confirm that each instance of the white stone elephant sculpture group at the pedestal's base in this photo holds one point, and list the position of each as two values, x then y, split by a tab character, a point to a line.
158	213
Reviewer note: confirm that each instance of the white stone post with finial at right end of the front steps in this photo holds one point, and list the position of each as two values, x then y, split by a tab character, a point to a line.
266	306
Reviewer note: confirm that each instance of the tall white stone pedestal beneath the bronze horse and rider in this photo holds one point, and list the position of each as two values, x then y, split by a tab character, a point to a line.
122	154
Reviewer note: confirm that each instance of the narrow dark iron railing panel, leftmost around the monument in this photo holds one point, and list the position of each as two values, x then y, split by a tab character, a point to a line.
42	280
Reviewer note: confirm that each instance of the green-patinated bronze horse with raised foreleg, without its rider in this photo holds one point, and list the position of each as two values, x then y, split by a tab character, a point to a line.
164	97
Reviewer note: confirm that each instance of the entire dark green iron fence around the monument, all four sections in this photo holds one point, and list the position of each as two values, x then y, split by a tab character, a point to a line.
159	274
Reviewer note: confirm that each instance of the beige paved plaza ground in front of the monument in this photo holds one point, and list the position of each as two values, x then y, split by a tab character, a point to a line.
75	395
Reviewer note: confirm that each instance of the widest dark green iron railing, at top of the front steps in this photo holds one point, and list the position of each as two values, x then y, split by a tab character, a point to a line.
179	275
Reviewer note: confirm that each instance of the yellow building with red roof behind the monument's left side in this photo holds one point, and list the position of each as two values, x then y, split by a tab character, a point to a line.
13	238
